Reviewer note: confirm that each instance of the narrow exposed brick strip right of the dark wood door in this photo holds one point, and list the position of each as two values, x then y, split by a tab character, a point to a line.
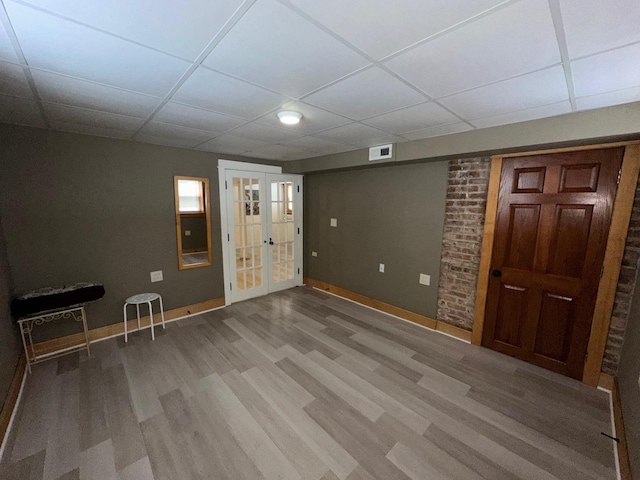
624	291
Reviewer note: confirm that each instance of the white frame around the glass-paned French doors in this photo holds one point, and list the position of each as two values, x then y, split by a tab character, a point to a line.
223	166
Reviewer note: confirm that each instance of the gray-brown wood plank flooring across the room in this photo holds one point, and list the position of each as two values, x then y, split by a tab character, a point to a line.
301	385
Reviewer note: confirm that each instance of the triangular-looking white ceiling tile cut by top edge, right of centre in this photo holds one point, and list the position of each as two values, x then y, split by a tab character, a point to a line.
380	27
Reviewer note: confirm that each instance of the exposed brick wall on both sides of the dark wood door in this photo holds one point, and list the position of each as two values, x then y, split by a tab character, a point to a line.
462	243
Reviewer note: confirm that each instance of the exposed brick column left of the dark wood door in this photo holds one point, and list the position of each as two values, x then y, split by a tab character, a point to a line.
462	240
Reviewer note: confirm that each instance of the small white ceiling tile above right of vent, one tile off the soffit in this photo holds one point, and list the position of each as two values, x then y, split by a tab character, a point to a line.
408	119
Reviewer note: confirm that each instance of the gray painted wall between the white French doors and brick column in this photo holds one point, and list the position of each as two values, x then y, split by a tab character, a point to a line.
392	215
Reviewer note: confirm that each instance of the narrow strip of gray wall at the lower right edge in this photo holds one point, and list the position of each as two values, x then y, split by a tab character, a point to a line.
628	374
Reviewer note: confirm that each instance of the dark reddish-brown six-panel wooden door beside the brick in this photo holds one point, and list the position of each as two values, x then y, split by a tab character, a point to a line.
552	224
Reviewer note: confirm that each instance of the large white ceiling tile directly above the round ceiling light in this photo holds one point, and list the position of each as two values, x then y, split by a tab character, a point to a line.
281	52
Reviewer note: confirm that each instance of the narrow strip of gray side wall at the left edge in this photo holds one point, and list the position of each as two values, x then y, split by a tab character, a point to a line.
10	345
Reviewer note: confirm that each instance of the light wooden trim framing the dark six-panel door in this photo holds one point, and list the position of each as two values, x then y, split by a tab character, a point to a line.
613	256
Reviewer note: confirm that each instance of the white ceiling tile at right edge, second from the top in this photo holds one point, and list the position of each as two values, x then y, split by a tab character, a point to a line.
606	72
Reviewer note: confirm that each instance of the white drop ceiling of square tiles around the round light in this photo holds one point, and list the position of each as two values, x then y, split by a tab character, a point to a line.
211	75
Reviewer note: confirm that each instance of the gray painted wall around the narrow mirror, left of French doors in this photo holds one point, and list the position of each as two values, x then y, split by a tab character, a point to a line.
79	208
